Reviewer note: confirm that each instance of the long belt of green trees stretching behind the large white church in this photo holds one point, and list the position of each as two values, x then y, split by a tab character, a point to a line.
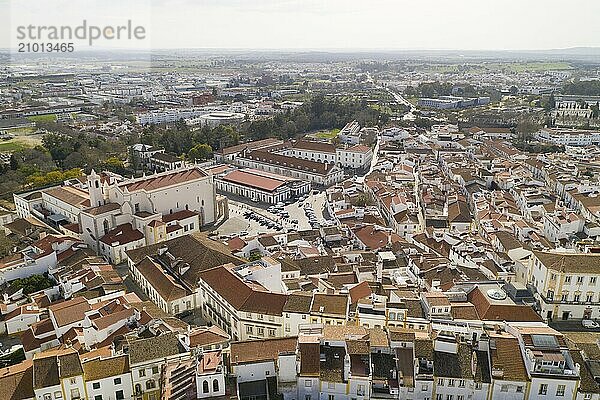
67	152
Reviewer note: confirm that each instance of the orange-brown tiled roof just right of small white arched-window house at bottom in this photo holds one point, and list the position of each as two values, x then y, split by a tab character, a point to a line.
254	351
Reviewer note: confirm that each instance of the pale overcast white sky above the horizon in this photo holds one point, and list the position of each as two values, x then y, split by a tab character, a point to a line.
324	24
